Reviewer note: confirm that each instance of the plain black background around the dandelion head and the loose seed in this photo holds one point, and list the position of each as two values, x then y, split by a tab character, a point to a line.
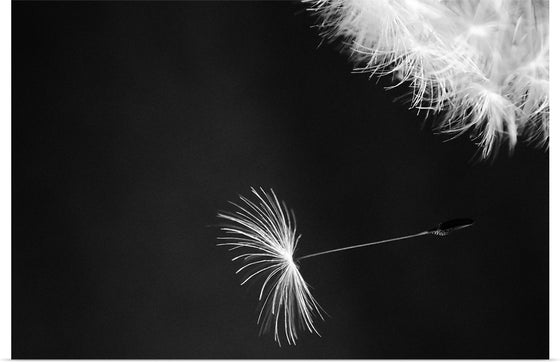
133	123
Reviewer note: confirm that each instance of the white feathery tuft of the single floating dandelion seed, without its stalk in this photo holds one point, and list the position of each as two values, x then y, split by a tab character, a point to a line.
264	231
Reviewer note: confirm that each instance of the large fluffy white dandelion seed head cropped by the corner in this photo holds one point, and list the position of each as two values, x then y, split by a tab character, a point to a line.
484	63
